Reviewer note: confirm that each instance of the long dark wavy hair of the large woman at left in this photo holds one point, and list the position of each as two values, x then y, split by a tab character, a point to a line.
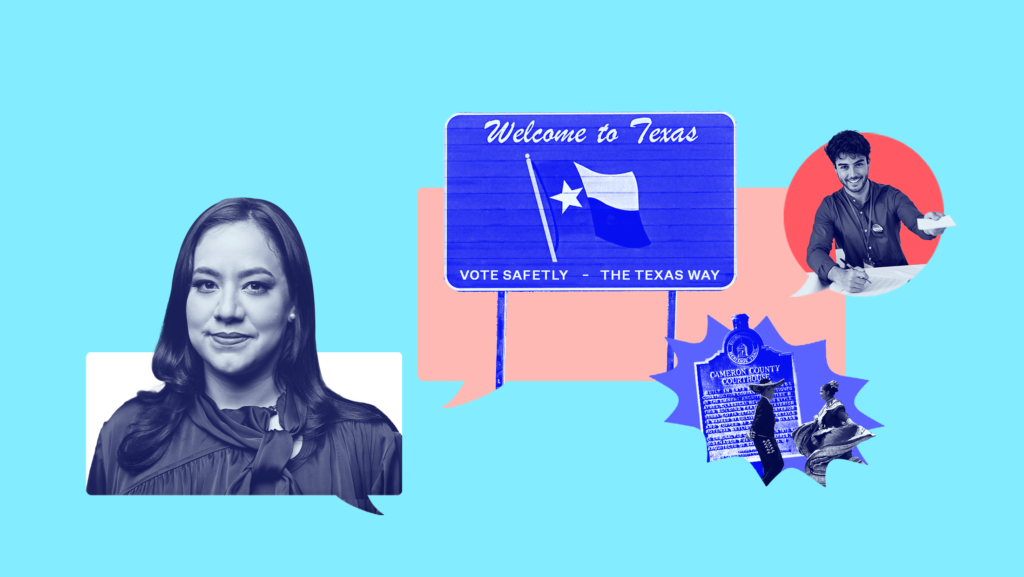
181	368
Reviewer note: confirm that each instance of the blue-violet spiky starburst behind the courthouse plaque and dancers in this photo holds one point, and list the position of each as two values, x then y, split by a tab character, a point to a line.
810	363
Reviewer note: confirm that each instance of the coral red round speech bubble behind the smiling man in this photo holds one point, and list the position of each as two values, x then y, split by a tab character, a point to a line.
892	163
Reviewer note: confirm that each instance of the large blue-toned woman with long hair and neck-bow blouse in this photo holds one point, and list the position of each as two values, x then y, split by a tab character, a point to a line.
244	409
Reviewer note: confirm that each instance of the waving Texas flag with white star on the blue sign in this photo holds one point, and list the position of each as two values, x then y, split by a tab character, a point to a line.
613	200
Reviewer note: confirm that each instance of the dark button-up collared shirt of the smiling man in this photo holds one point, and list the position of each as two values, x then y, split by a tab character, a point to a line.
849	223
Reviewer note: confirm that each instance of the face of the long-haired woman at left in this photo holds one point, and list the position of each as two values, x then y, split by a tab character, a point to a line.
239	304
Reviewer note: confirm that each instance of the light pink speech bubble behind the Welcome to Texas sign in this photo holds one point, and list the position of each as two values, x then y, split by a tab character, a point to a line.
610	337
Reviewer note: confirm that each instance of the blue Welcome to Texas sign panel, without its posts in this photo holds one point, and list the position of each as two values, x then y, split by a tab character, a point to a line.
636	201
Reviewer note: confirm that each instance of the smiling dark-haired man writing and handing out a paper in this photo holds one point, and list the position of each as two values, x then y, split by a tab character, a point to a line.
863	218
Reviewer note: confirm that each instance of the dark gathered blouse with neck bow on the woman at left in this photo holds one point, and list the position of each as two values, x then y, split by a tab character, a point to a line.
231	452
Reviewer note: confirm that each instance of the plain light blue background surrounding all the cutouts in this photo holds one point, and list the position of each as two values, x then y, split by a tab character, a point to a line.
120	123
